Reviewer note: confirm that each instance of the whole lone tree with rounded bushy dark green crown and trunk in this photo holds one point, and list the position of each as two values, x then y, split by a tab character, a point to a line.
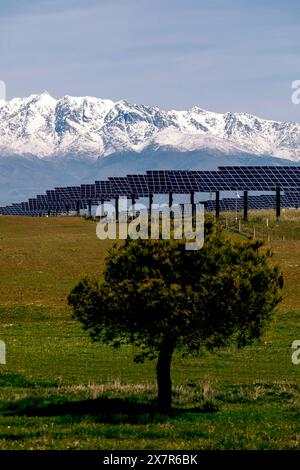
161	297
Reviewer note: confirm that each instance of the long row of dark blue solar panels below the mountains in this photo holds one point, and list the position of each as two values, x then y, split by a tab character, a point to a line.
226	178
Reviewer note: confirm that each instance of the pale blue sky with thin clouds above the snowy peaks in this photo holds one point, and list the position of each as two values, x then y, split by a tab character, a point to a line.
221	55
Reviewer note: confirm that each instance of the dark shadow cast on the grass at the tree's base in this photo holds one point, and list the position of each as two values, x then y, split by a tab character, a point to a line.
100	410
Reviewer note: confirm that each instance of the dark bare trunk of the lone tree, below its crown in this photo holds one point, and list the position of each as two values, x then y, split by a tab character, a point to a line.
163	373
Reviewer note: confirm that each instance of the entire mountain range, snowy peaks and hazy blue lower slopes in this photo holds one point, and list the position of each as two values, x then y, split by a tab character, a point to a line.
46	142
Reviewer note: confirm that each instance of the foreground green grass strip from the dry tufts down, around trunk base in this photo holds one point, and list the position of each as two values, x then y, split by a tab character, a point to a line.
259	416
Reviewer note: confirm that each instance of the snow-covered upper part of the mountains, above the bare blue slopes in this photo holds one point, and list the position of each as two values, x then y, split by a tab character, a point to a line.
44	127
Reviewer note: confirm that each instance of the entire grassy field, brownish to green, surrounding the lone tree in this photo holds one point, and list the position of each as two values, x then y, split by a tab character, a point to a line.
60	391
